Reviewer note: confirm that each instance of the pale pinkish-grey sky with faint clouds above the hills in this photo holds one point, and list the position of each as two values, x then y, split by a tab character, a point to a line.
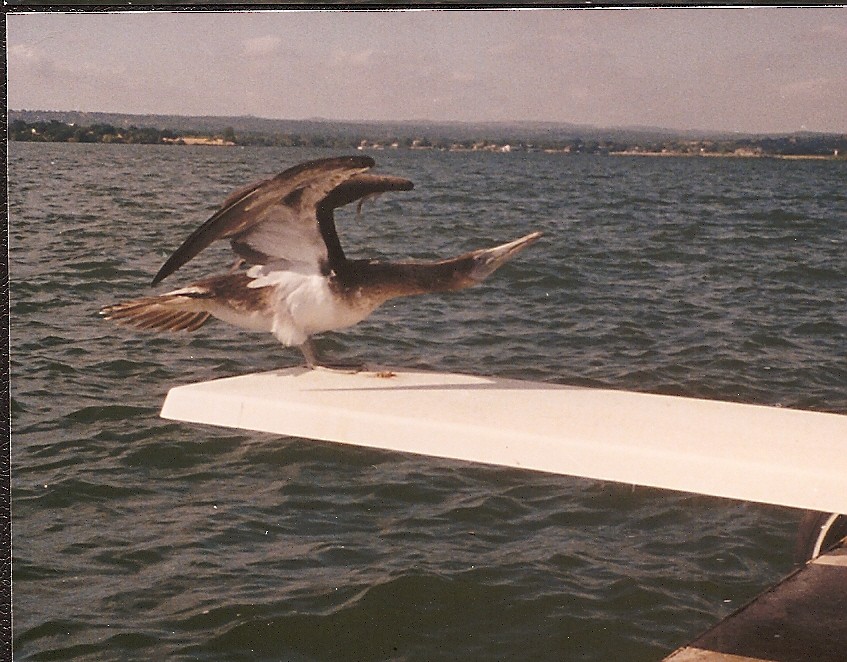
752	70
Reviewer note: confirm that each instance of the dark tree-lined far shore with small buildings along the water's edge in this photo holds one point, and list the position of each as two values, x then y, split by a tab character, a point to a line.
328	136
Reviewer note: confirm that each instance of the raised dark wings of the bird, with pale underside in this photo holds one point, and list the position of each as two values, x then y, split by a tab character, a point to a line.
289	217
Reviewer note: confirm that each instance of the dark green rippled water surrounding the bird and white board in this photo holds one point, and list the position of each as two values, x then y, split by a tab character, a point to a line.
138	538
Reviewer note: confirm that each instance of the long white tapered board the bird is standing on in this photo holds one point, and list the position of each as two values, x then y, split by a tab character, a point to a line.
769	455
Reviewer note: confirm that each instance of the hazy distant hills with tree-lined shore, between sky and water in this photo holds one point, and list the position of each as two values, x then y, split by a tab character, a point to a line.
78	126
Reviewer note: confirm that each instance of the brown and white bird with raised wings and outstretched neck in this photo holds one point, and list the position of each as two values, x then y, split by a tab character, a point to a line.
291	277
